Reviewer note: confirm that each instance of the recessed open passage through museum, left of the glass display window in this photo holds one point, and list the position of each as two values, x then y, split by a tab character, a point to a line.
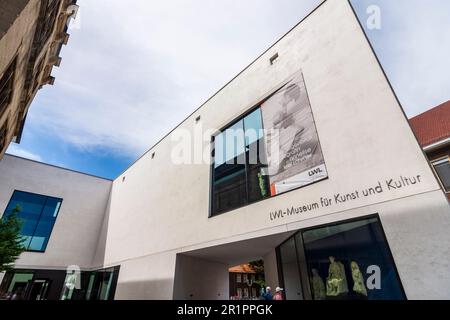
204	274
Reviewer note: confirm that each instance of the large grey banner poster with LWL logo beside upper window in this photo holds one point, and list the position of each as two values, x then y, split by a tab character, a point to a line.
294	154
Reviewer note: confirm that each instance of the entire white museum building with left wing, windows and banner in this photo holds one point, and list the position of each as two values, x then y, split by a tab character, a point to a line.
313	168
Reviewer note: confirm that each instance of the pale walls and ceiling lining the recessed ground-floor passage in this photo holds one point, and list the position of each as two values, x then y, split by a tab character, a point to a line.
202	274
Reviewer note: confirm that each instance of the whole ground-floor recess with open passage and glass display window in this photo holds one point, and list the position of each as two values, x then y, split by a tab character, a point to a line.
343	260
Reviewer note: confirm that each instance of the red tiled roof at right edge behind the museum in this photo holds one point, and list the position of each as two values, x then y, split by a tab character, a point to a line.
432	126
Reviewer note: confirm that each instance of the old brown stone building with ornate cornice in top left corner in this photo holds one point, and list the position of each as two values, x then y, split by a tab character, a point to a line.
31	35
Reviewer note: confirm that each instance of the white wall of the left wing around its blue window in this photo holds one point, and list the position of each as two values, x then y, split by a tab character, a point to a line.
76	232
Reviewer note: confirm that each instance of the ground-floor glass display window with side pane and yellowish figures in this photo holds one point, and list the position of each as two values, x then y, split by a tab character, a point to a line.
350	260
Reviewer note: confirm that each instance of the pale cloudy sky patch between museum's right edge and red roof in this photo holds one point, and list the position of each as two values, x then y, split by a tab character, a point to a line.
413	46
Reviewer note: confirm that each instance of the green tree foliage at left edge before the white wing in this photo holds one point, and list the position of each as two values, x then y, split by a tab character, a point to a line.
10	240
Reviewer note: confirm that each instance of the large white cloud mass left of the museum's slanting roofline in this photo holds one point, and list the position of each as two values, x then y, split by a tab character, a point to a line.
134	71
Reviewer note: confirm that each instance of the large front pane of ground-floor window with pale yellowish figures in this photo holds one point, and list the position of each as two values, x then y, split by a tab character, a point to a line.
340	256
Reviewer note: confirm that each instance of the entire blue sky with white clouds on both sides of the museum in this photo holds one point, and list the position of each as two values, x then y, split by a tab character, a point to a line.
132	72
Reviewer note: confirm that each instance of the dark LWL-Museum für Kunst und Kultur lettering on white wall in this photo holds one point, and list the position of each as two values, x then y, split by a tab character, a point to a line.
339	198
